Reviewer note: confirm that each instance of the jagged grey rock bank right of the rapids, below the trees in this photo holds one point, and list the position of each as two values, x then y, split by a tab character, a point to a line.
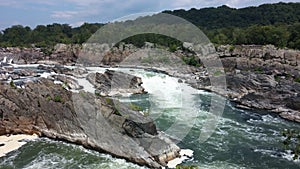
259	77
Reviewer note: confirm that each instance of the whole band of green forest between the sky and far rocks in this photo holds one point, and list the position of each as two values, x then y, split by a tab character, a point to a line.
277	24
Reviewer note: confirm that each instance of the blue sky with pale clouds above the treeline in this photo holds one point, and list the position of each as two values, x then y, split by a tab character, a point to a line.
76	12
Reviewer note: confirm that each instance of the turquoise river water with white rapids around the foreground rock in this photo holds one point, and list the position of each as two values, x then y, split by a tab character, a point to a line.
242	139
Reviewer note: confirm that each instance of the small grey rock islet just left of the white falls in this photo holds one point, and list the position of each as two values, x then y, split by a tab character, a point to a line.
112	83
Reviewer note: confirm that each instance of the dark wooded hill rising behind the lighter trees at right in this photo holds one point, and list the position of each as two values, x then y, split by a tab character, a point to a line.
224	16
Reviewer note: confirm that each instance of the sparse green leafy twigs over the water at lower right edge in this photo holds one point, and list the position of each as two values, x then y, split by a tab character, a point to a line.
292	142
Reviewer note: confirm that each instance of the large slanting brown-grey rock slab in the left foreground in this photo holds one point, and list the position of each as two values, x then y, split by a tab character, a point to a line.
94	122
